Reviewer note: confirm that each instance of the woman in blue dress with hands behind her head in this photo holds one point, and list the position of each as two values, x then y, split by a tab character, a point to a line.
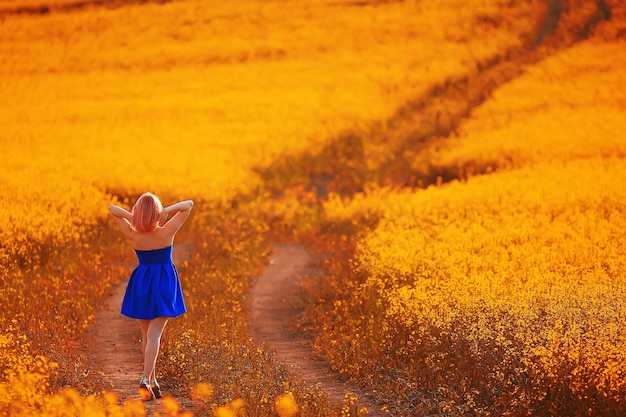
153	294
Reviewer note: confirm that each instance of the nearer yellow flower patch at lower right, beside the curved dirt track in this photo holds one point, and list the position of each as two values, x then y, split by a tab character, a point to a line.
490	289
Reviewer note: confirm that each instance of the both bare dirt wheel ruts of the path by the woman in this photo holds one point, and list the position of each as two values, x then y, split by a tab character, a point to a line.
115	345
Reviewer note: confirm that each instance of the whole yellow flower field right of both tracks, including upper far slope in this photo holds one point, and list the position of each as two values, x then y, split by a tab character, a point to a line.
500	293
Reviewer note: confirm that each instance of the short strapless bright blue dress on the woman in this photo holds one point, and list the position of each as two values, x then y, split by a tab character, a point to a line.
154	288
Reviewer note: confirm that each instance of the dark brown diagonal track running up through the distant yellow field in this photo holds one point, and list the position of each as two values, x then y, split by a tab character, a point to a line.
346	164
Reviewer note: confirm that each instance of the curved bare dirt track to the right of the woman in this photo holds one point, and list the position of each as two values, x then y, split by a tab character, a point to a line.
271	320
